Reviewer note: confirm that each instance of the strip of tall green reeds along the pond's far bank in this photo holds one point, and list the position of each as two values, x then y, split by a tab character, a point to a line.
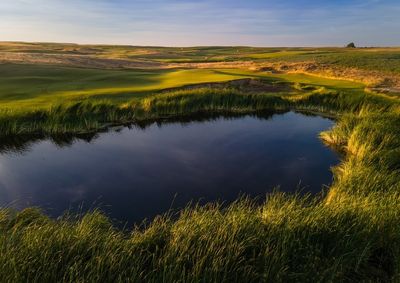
92	115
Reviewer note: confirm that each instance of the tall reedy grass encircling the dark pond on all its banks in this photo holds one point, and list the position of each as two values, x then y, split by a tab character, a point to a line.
350	233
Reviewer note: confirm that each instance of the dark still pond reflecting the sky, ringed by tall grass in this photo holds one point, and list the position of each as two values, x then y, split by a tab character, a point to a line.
137	173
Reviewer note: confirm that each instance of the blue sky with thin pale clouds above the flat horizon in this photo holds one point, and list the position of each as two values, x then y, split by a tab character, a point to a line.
203	22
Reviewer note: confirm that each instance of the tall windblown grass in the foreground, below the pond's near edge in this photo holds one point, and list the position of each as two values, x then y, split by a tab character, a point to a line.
287	239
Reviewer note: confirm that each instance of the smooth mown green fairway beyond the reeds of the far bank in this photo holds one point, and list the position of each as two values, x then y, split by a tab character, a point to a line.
27	87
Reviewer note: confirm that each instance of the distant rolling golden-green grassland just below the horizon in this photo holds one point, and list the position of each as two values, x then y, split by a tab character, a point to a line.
375	59
